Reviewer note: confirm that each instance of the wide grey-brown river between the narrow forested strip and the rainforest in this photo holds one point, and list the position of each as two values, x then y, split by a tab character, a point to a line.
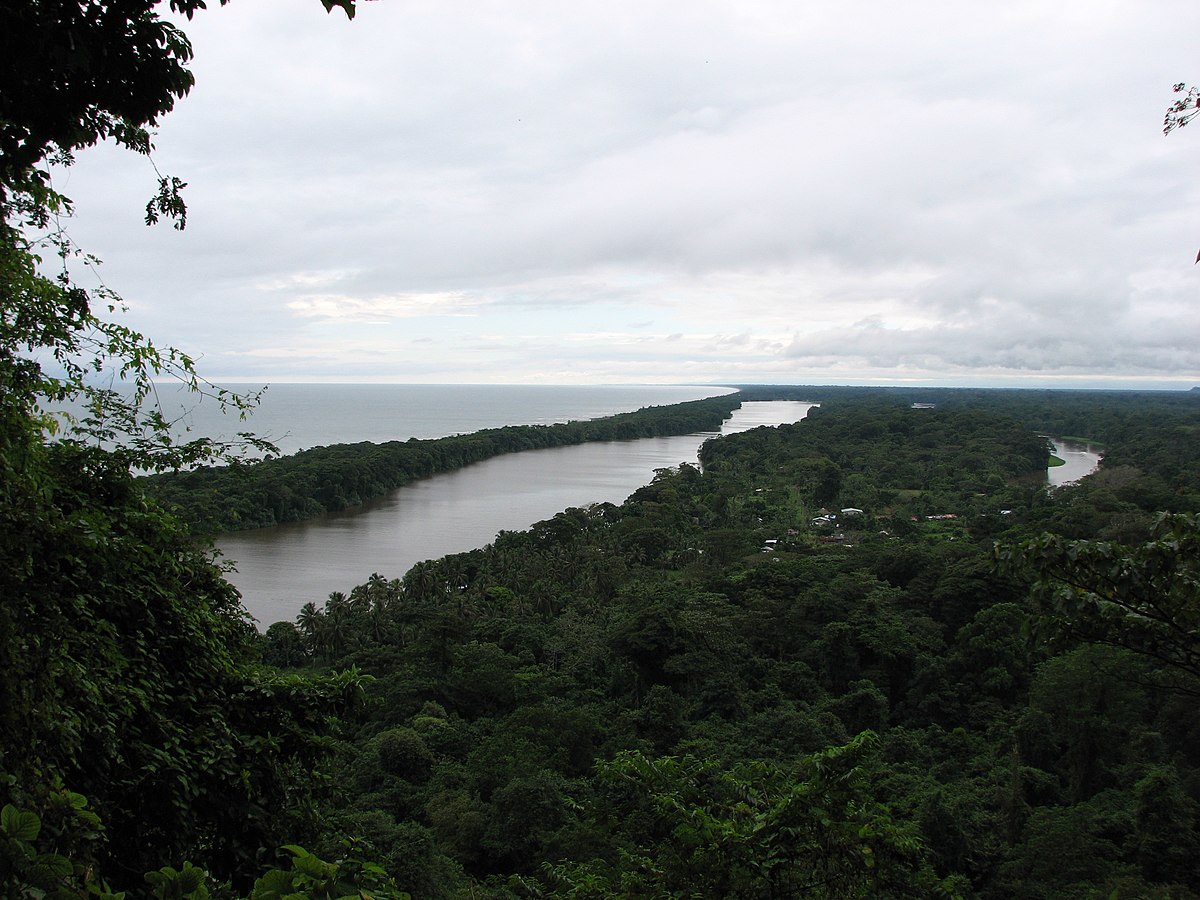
281	569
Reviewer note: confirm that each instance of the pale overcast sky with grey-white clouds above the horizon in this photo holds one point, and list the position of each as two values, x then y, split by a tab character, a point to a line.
746	191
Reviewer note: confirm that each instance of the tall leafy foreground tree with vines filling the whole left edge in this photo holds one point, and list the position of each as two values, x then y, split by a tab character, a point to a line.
128	667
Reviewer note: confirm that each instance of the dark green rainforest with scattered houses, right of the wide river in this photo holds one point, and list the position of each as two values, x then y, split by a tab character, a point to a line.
839	661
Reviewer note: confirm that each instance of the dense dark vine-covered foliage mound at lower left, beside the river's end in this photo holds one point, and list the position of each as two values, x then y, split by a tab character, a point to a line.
129	674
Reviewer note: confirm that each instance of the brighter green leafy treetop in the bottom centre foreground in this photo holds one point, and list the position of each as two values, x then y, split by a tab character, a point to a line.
695	830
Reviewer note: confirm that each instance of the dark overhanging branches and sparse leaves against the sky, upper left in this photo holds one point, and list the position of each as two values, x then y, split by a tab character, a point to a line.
74	74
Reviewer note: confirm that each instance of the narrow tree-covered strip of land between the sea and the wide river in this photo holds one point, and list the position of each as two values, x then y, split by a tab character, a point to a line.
329	479
